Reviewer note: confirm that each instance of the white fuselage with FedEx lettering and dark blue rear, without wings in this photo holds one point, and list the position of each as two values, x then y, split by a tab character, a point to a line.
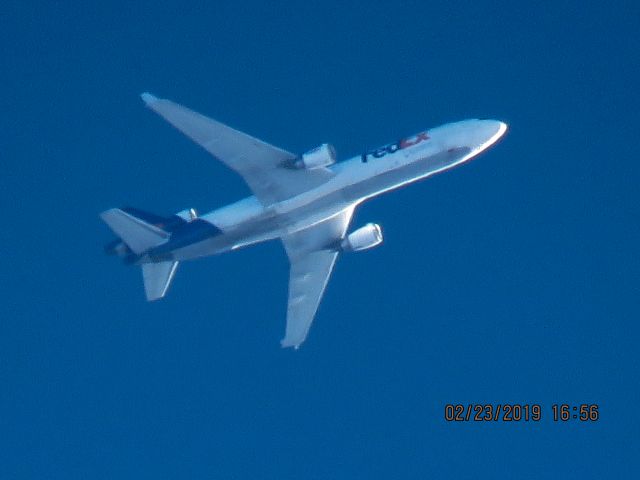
248	221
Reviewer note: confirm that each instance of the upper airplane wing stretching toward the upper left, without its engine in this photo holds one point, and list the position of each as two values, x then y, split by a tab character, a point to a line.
260	164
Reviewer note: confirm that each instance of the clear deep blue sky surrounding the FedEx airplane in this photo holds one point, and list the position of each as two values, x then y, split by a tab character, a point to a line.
511	280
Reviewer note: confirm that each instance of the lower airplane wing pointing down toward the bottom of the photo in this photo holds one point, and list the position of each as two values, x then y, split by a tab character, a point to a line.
312	253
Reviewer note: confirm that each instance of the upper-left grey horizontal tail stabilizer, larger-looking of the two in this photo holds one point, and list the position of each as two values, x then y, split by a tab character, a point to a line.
139	235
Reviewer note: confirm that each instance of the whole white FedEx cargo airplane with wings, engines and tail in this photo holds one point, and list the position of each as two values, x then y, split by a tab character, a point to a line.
307	201
